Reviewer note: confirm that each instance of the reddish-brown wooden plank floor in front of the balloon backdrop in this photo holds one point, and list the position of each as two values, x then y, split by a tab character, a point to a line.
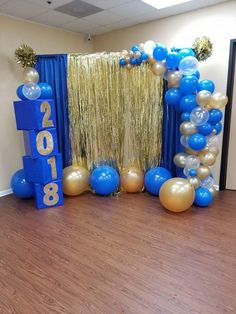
121	254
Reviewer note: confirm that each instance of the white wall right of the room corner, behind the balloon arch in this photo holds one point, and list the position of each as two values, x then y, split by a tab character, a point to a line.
218	22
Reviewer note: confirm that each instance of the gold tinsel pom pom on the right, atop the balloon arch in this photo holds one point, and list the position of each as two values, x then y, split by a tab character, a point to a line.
203	48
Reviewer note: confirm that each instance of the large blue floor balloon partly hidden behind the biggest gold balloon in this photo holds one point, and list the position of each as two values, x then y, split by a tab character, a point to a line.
154	178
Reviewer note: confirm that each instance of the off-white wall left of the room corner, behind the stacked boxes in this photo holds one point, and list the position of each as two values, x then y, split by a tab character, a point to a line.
13	33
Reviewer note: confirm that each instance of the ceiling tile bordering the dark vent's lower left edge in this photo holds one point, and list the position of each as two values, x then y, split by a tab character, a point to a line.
53	18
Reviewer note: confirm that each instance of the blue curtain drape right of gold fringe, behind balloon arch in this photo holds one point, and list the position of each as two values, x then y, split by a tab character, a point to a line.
170	137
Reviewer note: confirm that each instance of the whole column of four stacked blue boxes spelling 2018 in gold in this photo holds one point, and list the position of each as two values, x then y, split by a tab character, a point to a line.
42	163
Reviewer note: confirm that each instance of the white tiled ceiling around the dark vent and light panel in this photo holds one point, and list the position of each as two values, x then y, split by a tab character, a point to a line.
117	14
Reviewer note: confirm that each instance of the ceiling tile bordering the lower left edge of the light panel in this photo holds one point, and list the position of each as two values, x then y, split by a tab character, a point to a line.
133	8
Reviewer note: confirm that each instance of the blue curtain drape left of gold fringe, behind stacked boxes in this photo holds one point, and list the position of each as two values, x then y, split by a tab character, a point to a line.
53	70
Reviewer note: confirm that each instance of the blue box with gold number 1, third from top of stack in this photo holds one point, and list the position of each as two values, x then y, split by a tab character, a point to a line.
43	170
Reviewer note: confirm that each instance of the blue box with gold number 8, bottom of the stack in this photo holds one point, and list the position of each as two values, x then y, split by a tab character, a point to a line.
48	195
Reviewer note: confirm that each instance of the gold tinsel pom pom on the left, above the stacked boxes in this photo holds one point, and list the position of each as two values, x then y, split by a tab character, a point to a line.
25	55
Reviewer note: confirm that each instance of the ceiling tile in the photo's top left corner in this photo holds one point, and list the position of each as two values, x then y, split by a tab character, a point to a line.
22	8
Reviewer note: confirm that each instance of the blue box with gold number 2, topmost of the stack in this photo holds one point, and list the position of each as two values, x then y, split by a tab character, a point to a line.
35	114
